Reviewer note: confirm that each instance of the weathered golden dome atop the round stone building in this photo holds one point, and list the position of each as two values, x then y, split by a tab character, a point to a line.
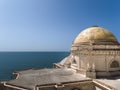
96	35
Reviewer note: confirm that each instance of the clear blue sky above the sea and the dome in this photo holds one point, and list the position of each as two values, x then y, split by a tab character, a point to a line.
52	25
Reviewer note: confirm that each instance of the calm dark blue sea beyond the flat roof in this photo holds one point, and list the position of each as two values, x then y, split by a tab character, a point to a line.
16	61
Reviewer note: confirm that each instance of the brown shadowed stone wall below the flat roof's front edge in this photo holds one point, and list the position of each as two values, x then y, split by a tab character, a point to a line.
82	85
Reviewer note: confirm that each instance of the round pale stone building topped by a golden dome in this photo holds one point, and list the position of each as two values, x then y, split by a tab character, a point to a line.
95	53
